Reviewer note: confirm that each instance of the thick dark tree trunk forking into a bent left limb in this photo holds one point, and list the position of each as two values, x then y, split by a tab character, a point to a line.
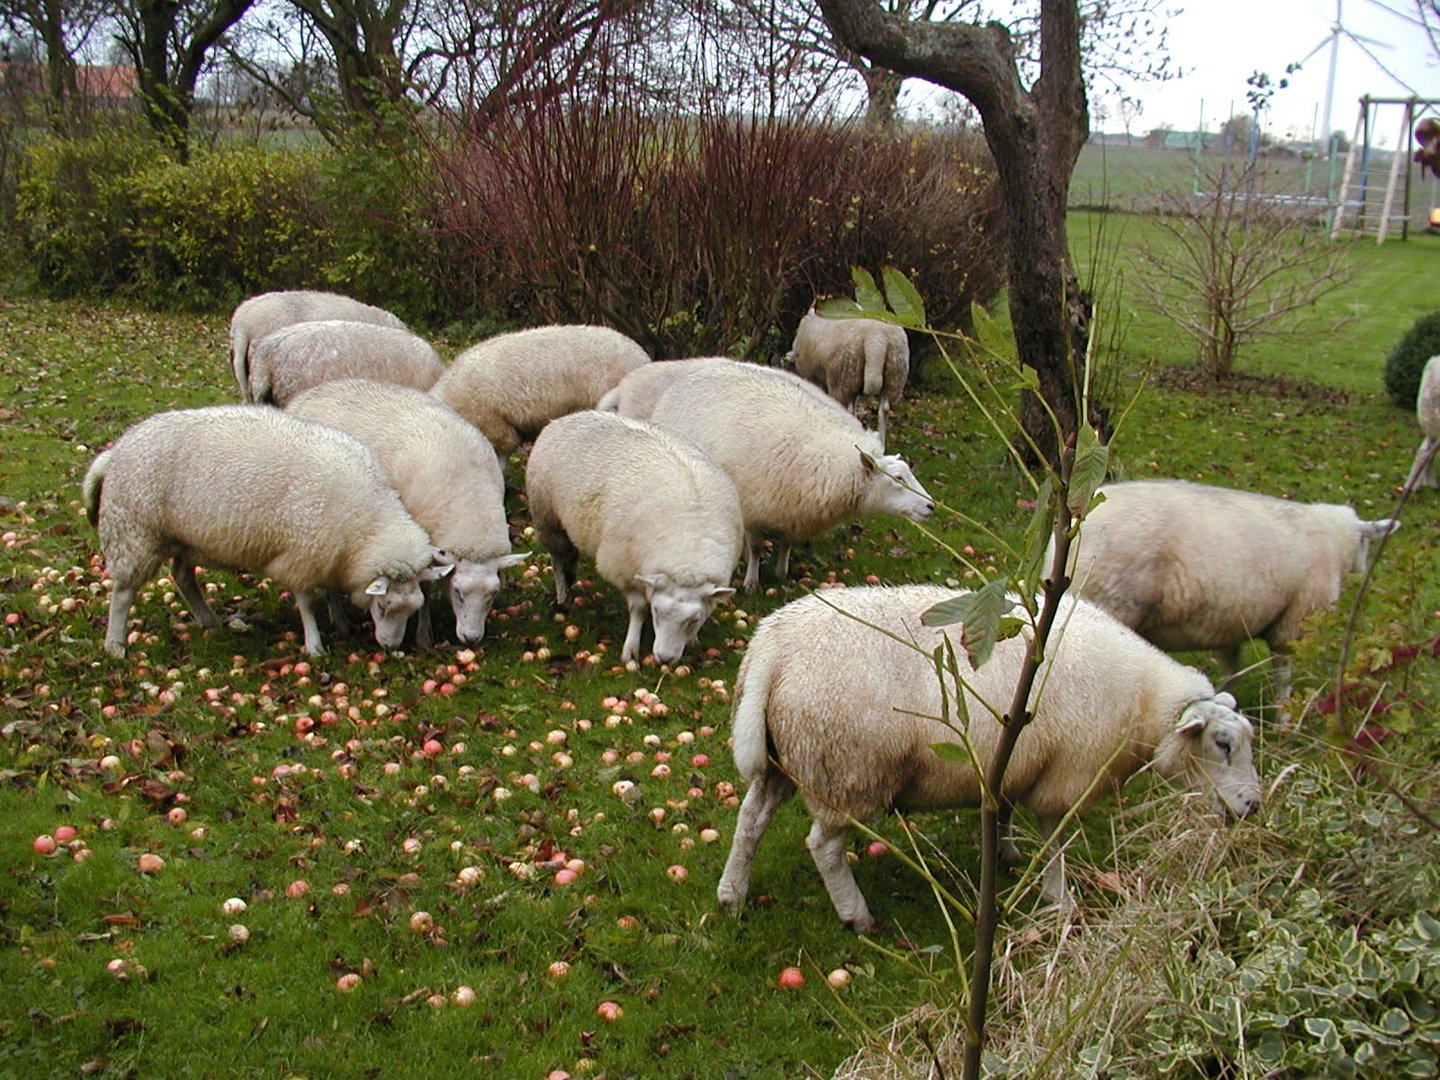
1035	138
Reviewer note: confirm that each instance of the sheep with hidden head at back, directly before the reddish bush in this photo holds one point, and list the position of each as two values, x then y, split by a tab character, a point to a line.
513	385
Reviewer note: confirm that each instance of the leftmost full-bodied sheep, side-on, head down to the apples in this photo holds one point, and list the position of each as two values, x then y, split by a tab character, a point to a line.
254	489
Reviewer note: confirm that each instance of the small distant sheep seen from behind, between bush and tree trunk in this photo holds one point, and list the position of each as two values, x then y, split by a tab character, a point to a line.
852	358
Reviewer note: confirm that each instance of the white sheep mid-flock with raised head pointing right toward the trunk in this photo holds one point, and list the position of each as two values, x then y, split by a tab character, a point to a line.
801	466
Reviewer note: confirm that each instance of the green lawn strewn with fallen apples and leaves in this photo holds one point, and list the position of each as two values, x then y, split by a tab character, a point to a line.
336	807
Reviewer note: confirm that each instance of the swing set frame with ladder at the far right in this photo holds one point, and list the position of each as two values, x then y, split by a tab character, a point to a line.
1367	175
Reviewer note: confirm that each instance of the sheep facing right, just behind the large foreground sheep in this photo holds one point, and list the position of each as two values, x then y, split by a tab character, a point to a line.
1192	567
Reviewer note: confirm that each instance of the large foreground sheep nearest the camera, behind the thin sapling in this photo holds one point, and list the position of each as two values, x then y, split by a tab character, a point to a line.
839	696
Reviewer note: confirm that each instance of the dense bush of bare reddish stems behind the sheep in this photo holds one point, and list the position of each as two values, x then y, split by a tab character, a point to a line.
702	235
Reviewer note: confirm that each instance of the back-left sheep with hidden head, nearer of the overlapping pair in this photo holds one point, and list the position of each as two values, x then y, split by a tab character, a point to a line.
306	355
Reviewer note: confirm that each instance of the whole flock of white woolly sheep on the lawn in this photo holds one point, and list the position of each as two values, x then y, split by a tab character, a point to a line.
361	464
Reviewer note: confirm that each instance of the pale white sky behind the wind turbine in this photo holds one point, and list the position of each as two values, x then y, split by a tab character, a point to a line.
1220	42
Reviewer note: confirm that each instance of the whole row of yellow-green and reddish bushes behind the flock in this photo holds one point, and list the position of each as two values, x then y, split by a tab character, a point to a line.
696	235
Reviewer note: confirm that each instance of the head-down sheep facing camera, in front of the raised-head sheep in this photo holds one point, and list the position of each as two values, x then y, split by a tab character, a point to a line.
657	516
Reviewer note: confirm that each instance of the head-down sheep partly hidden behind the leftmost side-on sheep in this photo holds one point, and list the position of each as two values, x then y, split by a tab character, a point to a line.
446	473
